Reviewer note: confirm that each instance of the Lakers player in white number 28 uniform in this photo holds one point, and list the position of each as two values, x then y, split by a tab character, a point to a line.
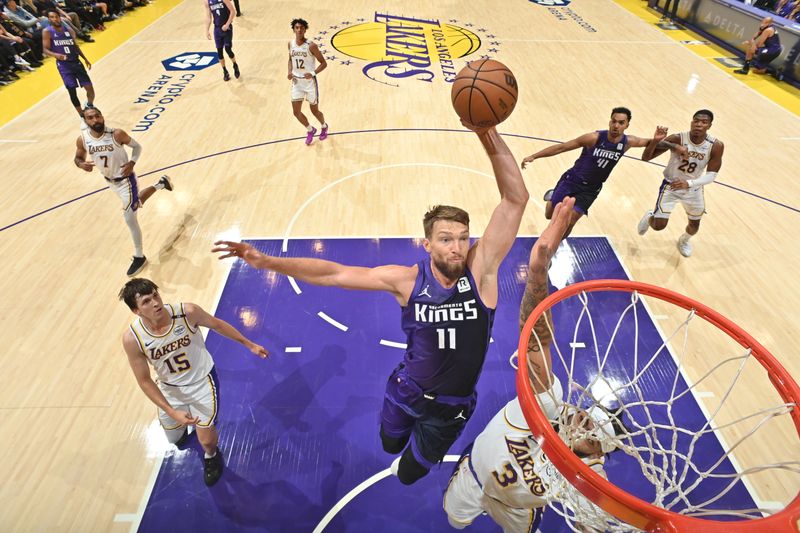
693	152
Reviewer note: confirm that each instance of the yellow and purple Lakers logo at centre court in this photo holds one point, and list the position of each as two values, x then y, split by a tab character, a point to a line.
393	49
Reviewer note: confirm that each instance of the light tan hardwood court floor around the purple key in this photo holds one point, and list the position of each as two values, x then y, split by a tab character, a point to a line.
78	435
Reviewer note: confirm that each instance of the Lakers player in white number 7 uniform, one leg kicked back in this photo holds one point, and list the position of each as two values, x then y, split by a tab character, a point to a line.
106	147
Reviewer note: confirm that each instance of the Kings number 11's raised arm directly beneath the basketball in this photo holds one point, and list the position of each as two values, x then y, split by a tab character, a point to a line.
485	257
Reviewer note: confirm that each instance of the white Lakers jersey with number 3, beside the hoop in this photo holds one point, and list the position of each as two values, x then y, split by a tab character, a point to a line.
510	464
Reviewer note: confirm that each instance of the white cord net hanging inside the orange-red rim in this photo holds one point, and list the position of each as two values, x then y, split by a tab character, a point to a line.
703	424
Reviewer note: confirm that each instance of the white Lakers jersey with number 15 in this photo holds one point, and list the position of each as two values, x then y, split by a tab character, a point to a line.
179	356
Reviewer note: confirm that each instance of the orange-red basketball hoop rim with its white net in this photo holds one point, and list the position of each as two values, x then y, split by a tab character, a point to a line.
668	453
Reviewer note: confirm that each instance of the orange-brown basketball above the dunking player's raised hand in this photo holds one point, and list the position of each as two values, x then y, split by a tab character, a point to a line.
484	93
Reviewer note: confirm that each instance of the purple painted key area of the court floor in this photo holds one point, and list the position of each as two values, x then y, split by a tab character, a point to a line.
300	430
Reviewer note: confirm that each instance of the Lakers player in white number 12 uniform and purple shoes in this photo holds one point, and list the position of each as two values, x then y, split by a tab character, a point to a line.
303	70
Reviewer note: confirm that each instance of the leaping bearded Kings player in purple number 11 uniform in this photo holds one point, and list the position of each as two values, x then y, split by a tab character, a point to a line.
448	303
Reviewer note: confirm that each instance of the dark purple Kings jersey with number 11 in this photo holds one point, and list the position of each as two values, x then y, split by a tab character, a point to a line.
447	333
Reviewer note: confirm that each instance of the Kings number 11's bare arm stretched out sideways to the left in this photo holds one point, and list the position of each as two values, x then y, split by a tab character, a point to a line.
394	279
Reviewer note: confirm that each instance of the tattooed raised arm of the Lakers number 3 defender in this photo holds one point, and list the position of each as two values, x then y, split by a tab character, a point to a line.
540	367
